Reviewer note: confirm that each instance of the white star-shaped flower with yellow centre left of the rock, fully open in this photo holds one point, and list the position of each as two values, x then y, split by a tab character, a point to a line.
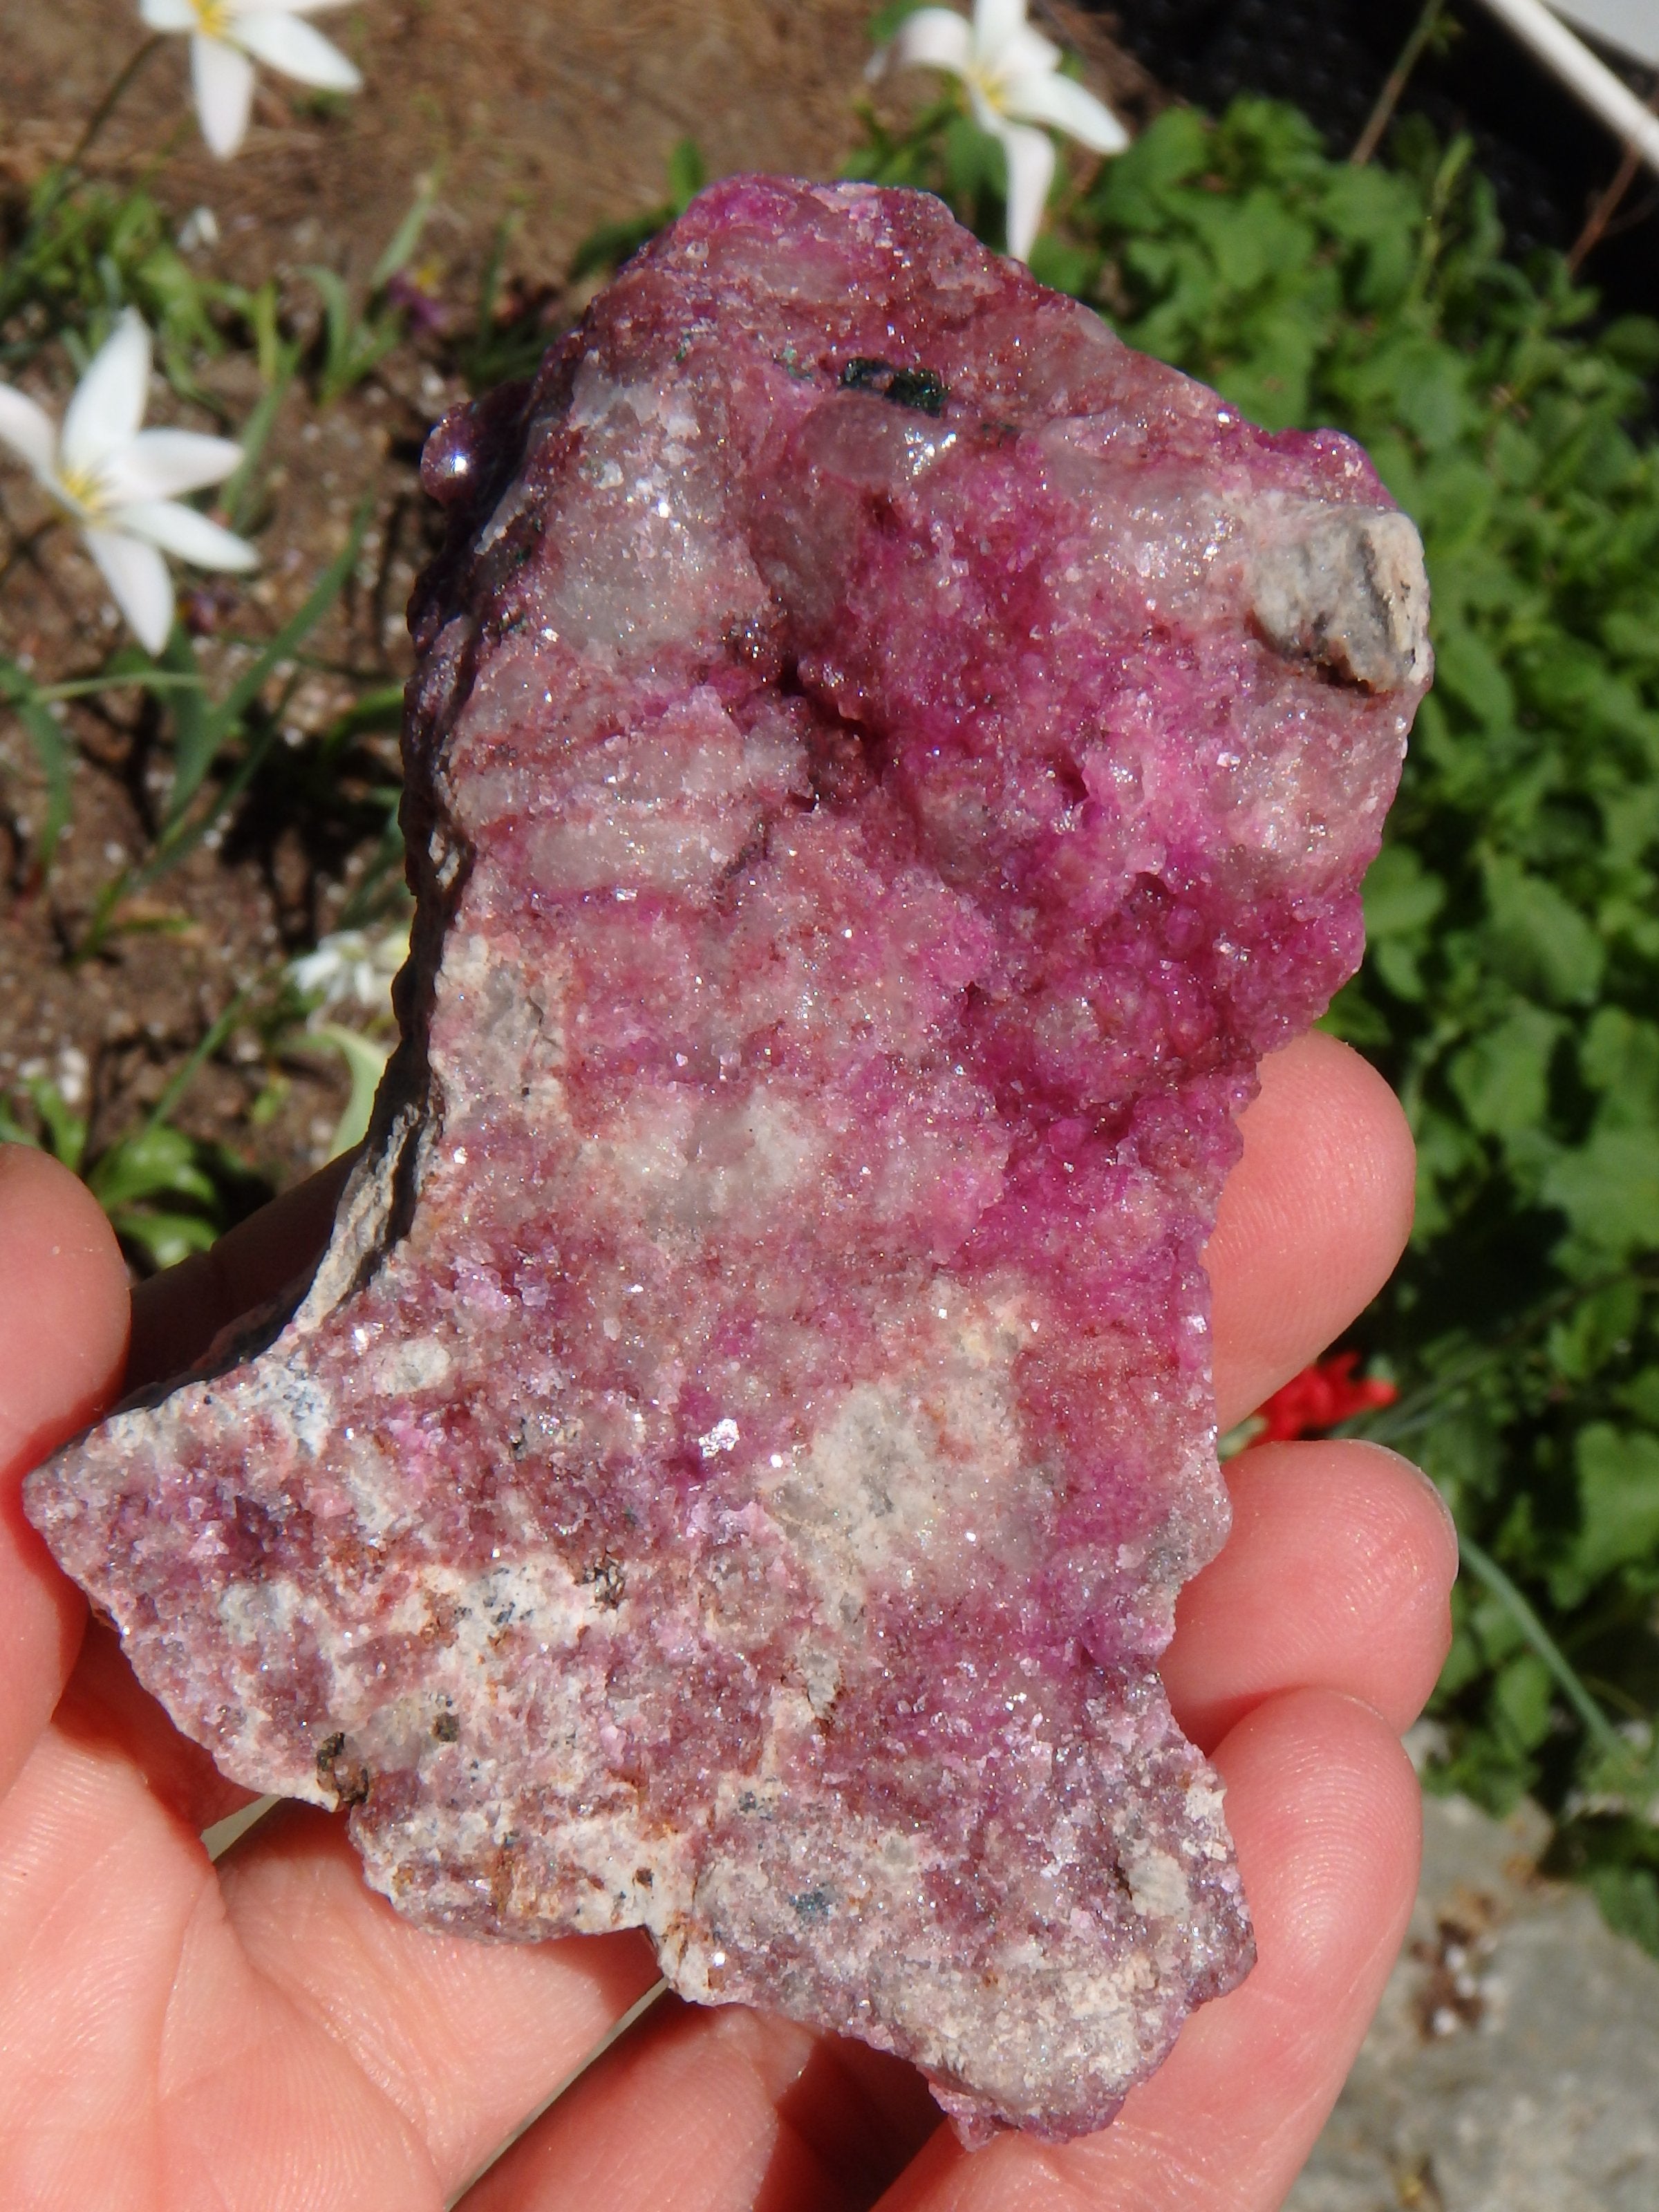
118	483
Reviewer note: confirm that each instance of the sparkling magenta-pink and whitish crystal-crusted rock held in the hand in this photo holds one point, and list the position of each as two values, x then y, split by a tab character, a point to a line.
884	764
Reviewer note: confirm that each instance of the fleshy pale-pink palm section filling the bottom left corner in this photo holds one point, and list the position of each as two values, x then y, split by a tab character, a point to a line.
143	2052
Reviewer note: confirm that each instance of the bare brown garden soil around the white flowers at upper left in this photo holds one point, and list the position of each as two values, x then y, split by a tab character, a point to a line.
554	116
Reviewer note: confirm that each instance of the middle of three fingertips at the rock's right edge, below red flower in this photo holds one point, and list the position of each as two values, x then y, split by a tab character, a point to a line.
1339	1574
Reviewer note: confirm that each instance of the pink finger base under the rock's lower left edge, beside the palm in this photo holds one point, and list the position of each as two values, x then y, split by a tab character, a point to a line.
461	2038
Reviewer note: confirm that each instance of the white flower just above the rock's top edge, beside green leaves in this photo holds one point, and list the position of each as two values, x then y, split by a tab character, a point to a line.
1012	79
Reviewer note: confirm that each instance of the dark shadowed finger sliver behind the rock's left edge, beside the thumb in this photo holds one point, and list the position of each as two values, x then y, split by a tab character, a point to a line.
178	1315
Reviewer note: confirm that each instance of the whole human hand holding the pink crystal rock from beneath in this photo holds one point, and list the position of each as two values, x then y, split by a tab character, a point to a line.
267	2034
